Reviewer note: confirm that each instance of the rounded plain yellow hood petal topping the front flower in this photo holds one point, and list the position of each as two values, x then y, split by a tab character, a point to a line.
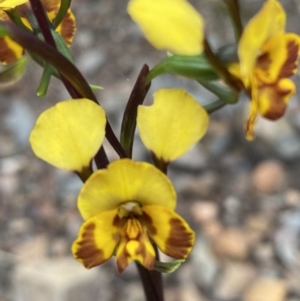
125	181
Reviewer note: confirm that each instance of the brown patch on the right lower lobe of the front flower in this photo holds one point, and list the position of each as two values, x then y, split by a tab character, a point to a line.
180	240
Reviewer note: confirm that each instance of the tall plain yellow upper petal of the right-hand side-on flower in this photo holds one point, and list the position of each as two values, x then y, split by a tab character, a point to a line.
267	23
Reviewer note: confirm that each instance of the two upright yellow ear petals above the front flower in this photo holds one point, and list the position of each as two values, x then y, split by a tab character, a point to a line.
69	134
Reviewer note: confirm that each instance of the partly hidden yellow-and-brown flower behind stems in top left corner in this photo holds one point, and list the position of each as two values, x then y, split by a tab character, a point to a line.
10	51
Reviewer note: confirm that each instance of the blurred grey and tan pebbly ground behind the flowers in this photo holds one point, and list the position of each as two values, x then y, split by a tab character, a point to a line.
241	198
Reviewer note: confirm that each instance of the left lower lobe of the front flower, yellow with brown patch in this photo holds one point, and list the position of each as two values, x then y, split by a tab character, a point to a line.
97	239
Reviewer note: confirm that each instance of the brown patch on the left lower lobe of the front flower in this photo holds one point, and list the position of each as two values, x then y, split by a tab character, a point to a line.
86	248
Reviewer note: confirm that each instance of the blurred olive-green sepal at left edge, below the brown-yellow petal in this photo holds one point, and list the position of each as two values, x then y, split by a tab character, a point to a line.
11	73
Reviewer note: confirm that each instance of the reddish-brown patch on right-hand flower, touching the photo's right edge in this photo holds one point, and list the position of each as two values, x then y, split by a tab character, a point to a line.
290	65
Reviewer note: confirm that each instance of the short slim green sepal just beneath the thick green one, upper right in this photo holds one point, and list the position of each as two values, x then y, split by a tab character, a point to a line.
226	94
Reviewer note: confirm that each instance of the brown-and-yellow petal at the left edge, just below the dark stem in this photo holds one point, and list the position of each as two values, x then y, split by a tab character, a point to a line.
10	51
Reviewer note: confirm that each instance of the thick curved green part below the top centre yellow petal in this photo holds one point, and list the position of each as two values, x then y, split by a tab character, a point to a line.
194	67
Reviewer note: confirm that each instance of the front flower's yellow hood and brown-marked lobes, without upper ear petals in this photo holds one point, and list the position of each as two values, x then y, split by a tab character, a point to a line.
126	208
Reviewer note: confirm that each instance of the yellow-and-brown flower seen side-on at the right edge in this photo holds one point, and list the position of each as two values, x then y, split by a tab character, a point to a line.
268	56
